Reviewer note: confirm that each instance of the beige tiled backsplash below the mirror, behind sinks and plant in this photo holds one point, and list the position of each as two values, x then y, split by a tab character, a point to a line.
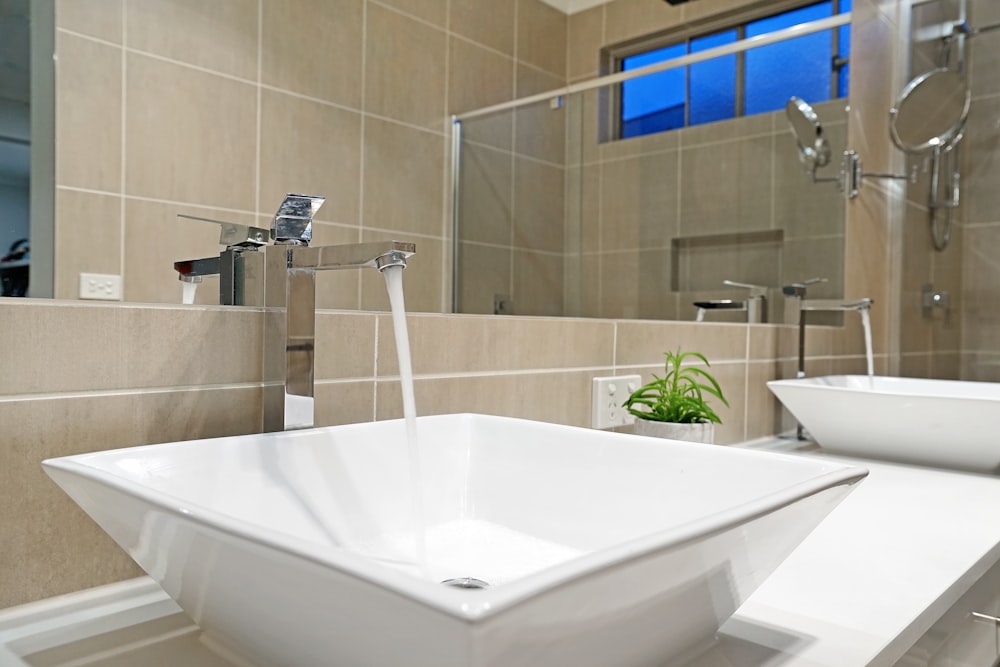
134	375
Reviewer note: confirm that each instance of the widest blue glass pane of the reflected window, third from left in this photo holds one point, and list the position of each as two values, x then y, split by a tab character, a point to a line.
799	66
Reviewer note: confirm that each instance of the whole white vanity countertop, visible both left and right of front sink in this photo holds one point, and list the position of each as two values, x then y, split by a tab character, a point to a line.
896	554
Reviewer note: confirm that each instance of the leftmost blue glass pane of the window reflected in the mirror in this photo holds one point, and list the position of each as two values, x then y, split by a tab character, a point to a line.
656	102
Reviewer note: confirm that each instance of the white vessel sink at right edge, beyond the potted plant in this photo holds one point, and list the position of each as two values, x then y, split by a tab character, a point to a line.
944	423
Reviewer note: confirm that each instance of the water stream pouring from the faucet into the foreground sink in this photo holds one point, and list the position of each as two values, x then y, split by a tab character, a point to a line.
394	285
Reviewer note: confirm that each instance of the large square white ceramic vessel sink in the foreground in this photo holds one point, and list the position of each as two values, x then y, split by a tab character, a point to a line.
299	548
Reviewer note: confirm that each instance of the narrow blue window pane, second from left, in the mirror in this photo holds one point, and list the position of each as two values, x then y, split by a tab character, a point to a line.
713	82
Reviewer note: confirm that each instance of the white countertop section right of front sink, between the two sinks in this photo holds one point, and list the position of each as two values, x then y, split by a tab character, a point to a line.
896	554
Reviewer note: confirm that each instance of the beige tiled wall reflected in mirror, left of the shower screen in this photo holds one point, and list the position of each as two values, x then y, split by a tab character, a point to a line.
218	109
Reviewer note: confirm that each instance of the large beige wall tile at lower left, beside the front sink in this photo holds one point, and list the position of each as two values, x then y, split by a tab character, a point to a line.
49	546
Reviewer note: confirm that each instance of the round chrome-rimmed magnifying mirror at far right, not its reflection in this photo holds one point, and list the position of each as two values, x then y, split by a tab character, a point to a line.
931	111
